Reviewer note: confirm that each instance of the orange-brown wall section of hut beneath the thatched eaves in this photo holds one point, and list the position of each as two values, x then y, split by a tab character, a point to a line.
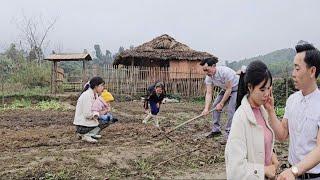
182	69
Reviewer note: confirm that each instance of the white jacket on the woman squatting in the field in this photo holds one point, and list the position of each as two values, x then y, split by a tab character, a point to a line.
84	115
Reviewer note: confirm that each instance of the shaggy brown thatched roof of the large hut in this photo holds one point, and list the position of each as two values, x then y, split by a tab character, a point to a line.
163	47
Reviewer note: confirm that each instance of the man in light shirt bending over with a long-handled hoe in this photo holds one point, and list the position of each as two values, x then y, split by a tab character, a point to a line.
227	80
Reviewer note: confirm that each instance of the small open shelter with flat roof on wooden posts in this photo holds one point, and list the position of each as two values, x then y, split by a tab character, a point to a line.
55	58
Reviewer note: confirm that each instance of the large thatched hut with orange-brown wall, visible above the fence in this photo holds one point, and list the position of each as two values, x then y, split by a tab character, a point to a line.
164	51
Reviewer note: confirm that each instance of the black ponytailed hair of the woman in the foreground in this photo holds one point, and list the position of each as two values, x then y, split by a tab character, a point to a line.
255	73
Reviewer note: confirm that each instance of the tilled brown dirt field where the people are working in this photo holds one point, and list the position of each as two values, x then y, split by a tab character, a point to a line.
38	144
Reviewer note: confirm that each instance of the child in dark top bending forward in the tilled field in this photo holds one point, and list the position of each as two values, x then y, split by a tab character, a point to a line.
154	98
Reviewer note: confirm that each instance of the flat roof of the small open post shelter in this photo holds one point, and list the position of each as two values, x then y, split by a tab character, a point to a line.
69	57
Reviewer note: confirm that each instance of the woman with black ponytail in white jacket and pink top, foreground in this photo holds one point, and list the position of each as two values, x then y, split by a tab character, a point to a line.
249	150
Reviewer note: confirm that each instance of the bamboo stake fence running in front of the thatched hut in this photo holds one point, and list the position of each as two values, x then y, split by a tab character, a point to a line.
132	80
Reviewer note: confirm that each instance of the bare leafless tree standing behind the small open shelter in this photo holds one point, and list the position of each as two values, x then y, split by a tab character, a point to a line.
34	32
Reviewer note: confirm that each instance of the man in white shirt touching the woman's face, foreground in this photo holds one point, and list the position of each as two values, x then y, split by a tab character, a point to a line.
301	120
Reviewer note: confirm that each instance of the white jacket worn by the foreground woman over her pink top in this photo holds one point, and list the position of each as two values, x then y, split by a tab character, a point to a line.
244	153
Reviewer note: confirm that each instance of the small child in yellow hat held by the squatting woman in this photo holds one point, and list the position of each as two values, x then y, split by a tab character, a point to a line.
102	105
